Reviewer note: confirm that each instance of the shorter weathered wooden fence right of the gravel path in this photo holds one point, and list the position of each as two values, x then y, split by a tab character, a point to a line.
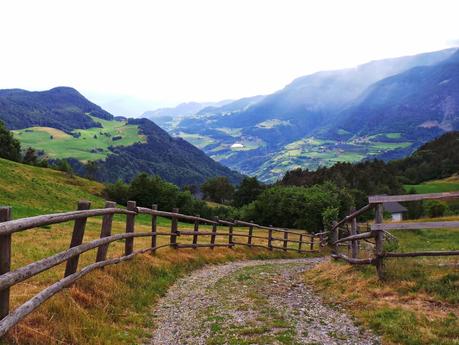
379	231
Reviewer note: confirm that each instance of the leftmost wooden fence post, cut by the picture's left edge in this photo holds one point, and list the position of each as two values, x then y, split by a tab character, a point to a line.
5	261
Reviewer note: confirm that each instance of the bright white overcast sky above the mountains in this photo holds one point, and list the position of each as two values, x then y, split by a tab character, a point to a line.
132	56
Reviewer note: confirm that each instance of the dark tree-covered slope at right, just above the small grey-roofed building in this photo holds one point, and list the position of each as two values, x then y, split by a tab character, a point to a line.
438	159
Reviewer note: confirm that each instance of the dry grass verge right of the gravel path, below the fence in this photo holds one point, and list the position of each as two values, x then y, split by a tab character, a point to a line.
417	304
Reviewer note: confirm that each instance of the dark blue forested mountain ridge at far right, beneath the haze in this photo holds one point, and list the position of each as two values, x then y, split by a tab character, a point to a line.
419	103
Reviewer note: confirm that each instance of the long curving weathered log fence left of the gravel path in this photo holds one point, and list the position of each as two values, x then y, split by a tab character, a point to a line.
71	256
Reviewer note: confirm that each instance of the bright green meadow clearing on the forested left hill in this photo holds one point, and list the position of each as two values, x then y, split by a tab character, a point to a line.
83	144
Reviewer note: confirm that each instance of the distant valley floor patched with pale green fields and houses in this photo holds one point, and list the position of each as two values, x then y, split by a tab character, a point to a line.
256	157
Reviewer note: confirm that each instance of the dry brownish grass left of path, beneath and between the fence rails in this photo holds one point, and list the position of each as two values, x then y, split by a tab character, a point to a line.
109	306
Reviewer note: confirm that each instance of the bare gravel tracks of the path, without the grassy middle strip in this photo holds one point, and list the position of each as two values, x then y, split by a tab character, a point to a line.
178	315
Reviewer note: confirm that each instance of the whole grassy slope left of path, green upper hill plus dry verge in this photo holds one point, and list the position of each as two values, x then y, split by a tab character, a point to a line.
110	306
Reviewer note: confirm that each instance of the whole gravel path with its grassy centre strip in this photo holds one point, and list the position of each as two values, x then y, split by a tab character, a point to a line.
251	302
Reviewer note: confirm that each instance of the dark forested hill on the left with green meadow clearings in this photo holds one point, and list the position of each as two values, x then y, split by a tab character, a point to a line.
64	125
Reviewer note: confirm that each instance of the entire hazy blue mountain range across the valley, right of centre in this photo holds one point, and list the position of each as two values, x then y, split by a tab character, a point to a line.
381	109
